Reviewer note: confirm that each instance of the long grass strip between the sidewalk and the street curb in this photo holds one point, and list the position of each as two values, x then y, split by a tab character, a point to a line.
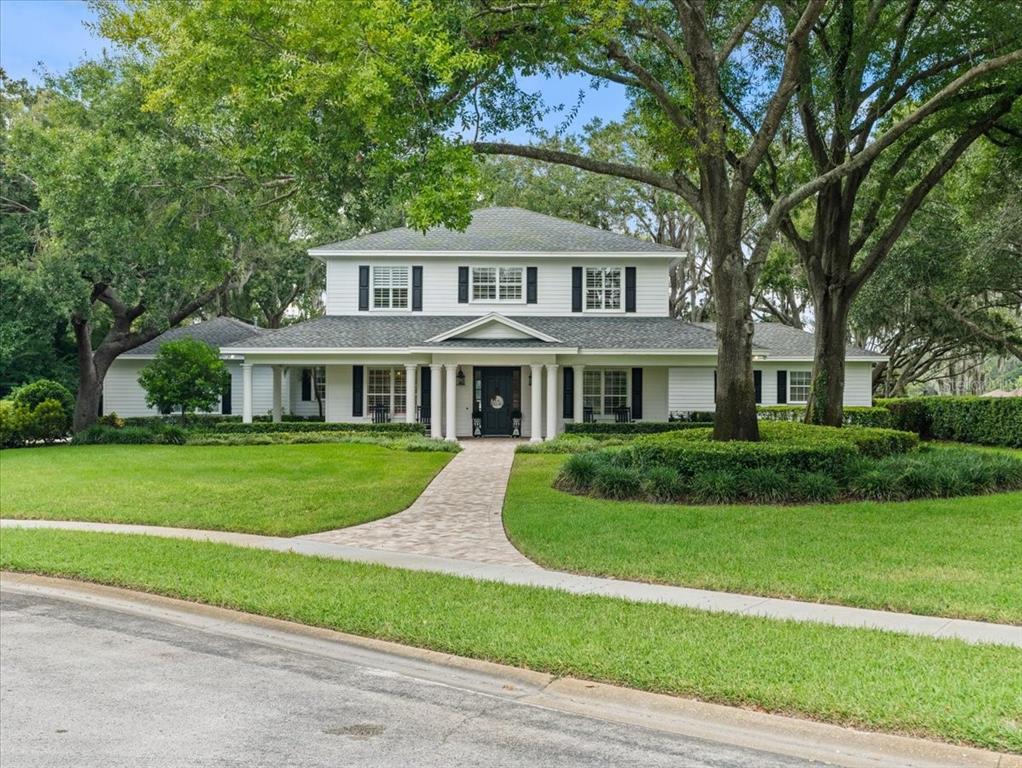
871	680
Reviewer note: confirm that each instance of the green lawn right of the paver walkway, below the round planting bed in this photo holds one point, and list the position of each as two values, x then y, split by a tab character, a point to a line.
955	558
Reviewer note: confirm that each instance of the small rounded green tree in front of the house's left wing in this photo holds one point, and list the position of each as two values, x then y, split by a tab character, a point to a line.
187	375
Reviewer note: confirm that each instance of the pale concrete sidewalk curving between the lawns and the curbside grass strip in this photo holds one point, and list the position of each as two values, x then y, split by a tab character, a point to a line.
969	631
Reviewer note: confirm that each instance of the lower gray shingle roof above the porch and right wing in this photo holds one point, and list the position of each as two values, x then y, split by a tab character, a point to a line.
401	332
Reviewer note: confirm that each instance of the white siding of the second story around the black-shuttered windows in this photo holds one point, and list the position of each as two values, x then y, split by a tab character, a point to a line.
440	285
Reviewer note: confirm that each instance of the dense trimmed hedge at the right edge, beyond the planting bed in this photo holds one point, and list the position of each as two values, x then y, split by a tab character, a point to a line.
965	420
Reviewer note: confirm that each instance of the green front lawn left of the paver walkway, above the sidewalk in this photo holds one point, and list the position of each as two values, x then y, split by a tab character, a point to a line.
278	490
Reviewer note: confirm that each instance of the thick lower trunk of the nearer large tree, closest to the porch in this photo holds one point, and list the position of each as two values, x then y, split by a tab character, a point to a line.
735	417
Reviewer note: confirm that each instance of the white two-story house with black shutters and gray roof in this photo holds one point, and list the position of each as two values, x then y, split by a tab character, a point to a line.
514	328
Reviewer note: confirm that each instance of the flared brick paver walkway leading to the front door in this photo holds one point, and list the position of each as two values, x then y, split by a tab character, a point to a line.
457	517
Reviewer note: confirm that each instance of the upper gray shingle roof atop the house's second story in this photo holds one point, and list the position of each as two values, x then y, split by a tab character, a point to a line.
502	230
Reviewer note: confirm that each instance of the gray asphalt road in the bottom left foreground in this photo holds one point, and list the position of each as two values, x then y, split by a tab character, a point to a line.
84	687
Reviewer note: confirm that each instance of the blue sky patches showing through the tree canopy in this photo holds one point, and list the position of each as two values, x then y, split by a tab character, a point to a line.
38	36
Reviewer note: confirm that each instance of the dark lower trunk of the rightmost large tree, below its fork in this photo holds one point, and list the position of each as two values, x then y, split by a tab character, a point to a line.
826	404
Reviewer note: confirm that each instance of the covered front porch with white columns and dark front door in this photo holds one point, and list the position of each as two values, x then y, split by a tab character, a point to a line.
471	393
